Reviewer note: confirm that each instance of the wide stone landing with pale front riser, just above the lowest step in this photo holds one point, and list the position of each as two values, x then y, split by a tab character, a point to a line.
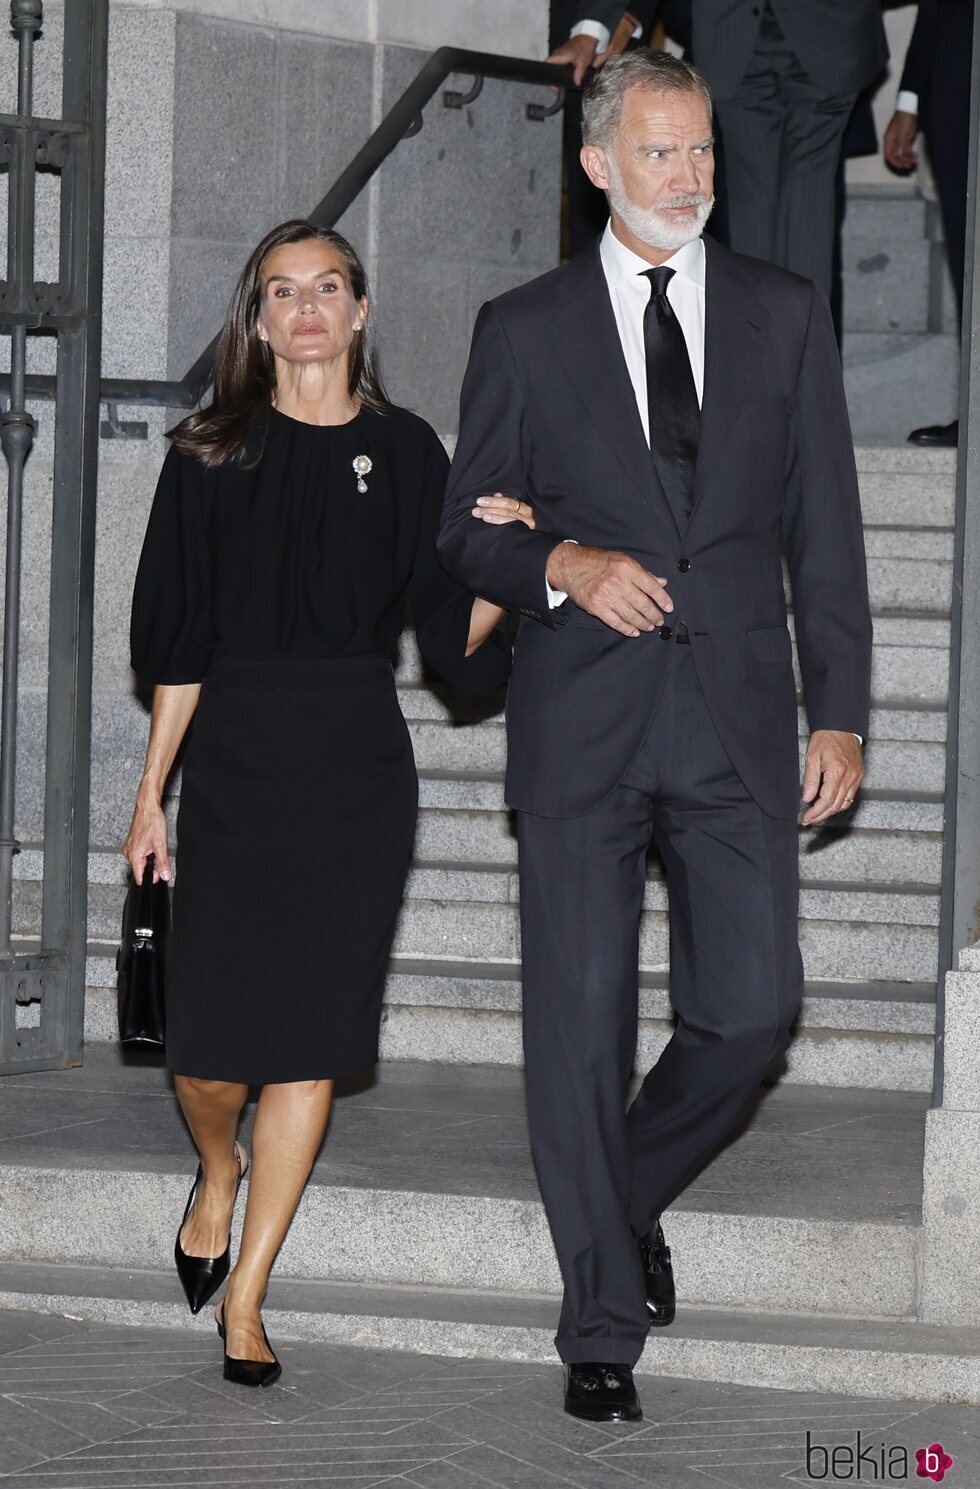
427	1182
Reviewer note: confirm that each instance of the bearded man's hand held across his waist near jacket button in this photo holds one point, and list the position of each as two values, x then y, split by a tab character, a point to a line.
611	586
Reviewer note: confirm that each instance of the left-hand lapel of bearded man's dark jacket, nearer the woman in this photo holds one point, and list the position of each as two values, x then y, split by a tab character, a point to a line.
588	345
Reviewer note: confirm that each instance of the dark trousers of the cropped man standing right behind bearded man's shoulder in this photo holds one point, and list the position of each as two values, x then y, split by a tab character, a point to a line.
783	147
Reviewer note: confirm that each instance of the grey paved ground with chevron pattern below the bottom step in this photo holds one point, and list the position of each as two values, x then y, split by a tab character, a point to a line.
86	1406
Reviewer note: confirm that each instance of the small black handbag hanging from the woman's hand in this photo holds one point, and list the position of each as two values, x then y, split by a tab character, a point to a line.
142	963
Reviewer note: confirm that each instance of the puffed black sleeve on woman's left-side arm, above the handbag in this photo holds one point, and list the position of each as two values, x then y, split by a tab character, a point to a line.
171	629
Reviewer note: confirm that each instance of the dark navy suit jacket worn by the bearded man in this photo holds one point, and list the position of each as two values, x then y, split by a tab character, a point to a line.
549	413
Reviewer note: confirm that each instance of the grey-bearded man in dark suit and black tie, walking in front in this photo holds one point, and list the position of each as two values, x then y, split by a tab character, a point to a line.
653	692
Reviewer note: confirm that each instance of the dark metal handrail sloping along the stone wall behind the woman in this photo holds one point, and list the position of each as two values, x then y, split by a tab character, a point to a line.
403	120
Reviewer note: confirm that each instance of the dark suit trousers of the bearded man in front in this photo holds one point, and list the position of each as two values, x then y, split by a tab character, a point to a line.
736	983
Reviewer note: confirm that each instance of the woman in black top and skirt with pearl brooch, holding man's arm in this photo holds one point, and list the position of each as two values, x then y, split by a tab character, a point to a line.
293	520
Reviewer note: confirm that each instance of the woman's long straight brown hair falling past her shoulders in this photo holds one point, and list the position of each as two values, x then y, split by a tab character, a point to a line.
245	370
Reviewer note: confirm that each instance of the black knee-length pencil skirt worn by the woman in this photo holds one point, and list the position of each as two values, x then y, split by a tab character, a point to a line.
294	839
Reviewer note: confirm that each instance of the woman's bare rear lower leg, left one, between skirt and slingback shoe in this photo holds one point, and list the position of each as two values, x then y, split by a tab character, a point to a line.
212	1110
